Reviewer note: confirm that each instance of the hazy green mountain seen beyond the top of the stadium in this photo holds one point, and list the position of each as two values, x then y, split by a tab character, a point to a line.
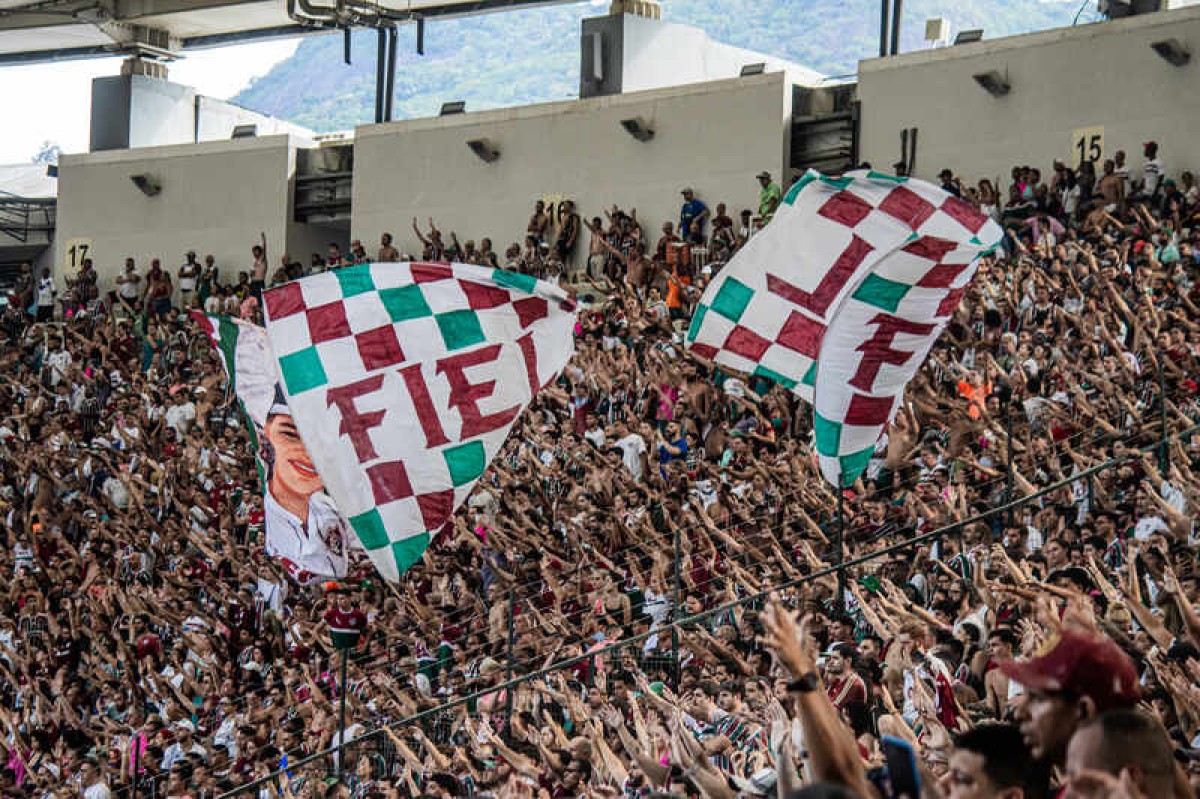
532	56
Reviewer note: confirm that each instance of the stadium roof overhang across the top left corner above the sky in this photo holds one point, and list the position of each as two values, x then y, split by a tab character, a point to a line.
49	31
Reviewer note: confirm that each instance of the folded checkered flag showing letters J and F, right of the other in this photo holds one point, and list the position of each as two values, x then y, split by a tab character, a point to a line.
841	299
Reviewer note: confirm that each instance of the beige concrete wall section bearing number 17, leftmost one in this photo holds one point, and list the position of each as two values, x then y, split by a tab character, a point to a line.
217	199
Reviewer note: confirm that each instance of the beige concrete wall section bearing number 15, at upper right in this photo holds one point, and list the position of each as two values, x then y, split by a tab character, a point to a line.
1103	75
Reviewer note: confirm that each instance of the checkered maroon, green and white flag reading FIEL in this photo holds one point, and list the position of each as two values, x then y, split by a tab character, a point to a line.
404	382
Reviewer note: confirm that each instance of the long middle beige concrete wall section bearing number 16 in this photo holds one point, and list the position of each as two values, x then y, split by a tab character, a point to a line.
715	137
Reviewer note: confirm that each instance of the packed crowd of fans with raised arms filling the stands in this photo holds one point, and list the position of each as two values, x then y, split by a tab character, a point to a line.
1051	646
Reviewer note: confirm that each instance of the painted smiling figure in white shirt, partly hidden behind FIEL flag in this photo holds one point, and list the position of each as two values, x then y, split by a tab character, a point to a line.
304	528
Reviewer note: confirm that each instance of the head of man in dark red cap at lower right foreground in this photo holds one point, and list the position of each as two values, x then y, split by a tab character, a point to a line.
1083	675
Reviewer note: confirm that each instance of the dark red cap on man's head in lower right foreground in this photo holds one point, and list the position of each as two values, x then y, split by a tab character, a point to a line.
1084	665
